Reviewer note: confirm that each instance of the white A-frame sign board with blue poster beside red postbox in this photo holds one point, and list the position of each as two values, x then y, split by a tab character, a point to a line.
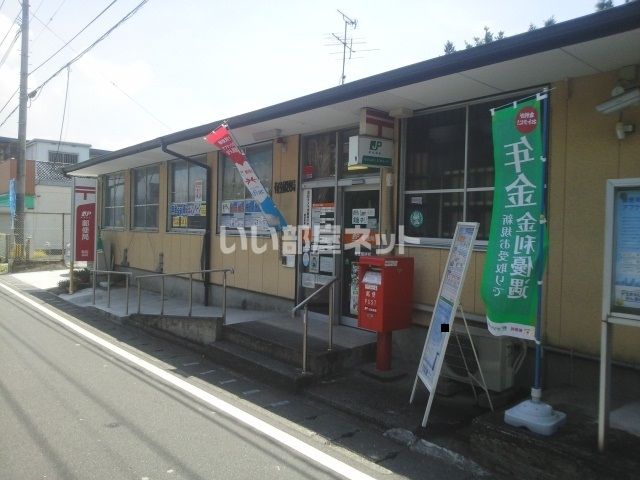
444	311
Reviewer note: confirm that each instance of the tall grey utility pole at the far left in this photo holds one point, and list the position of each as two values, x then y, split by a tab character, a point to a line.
19	237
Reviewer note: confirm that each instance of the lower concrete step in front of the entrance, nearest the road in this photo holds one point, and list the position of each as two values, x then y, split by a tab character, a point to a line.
258	365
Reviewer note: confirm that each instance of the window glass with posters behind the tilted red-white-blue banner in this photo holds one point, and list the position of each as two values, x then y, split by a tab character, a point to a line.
237	207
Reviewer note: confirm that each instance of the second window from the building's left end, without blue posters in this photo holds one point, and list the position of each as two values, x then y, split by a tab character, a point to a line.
145	197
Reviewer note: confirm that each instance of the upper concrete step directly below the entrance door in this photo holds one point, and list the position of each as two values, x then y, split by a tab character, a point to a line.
286	346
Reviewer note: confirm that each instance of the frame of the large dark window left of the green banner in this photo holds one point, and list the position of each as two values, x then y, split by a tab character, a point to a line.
442	242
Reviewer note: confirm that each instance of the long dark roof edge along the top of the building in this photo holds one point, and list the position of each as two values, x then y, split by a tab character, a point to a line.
597	25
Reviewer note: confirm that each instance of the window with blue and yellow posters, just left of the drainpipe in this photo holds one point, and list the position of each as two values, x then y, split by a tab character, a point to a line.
187	208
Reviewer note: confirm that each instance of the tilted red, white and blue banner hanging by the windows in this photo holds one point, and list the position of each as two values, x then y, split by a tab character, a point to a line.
221	138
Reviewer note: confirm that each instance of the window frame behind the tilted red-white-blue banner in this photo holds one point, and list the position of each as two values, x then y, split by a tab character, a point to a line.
224	162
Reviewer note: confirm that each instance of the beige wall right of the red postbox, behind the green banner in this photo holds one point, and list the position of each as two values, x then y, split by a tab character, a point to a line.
584	153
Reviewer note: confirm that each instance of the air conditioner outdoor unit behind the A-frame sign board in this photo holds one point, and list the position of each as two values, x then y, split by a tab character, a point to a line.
500	358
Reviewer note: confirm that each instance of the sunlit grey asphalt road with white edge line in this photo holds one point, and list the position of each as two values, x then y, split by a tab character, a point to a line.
73	409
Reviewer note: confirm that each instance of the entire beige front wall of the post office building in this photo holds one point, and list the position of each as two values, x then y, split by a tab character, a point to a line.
584	153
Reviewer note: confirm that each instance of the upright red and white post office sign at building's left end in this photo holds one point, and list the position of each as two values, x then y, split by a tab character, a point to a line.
84	208
